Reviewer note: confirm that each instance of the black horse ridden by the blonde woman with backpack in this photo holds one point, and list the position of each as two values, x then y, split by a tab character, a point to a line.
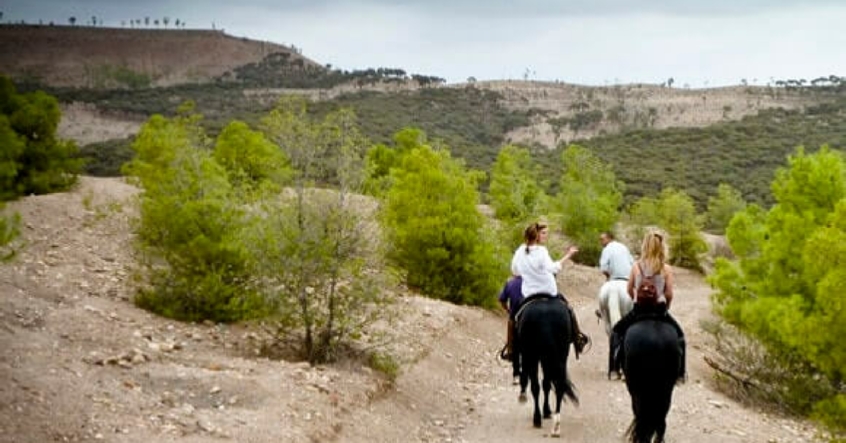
651	366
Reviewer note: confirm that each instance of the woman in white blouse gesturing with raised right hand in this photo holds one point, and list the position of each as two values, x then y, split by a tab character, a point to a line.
533	262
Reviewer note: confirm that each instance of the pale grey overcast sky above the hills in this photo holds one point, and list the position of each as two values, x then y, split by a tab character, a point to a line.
697	42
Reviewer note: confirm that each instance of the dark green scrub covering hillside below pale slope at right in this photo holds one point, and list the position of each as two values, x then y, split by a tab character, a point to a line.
743	154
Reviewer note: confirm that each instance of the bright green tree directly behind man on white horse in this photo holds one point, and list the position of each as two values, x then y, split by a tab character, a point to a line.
589	198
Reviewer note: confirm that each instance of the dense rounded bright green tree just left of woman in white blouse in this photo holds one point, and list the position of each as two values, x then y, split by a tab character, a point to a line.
436	234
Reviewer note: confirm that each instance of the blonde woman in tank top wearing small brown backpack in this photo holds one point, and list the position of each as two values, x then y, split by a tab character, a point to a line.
651	263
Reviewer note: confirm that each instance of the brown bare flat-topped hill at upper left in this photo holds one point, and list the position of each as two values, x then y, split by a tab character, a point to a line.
88	57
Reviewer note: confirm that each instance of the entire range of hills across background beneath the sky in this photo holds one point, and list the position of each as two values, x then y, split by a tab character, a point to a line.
654	135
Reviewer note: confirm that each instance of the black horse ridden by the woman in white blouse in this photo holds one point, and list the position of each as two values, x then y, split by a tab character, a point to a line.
543	338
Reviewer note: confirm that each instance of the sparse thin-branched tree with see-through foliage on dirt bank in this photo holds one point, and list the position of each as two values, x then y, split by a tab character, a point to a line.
317	250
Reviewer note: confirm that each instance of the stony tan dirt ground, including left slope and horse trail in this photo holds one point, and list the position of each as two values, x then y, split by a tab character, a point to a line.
79	362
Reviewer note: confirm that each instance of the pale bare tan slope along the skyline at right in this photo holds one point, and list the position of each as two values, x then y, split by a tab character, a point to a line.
563	112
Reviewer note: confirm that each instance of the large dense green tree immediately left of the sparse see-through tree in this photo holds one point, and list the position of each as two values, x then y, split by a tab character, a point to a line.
189	221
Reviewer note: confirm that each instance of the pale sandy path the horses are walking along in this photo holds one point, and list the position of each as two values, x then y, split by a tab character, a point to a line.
698	413
